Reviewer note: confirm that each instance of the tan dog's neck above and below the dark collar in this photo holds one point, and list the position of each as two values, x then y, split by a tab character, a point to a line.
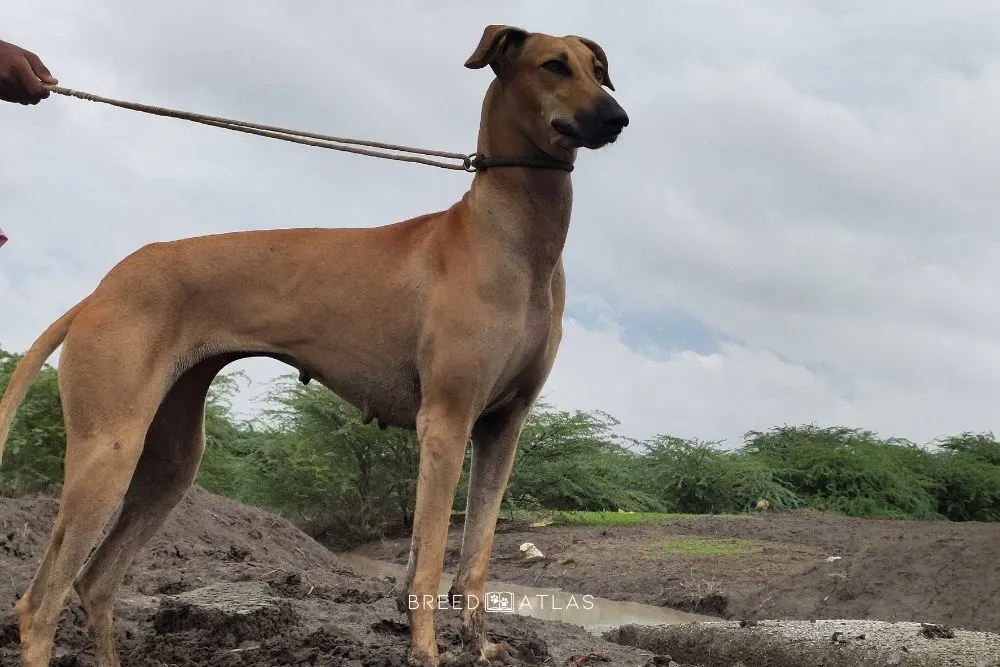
526	209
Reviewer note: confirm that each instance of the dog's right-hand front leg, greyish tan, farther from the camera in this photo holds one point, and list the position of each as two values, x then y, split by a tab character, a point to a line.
494	443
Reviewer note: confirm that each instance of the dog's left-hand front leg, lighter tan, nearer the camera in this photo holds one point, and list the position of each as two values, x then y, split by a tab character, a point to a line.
443	428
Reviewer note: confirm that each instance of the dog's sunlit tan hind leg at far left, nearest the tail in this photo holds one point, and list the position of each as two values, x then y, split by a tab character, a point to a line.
110	392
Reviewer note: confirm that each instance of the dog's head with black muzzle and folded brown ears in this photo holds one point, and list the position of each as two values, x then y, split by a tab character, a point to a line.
557	83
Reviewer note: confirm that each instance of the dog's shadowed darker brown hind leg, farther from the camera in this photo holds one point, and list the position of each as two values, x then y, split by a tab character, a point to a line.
174	446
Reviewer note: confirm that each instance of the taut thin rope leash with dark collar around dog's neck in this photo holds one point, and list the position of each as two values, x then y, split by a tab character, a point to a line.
472	162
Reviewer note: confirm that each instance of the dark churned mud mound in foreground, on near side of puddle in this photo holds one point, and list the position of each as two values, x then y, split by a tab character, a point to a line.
233	586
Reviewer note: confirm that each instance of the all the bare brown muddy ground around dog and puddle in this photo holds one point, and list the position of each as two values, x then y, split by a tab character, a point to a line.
227	585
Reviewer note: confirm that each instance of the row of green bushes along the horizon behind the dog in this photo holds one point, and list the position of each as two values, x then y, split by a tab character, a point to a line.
311	459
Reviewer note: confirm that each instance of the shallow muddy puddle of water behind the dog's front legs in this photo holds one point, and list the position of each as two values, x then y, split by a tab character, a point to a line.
551	604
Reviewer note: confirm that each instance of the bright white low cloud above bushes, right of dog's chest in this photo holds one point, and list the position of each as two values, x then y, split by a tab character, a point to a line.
717	396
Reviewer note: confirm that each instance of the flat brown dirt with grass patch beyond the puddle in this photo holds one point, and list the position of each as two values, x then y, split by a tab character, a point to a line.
777	568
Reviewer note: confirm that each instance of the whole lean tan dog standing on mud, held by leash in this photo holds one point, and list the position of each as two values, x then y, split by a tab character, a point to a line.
446	323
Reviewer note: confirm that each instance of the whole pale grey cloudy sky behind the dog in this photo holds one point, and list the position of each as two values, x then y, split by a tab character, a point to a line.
798	226
